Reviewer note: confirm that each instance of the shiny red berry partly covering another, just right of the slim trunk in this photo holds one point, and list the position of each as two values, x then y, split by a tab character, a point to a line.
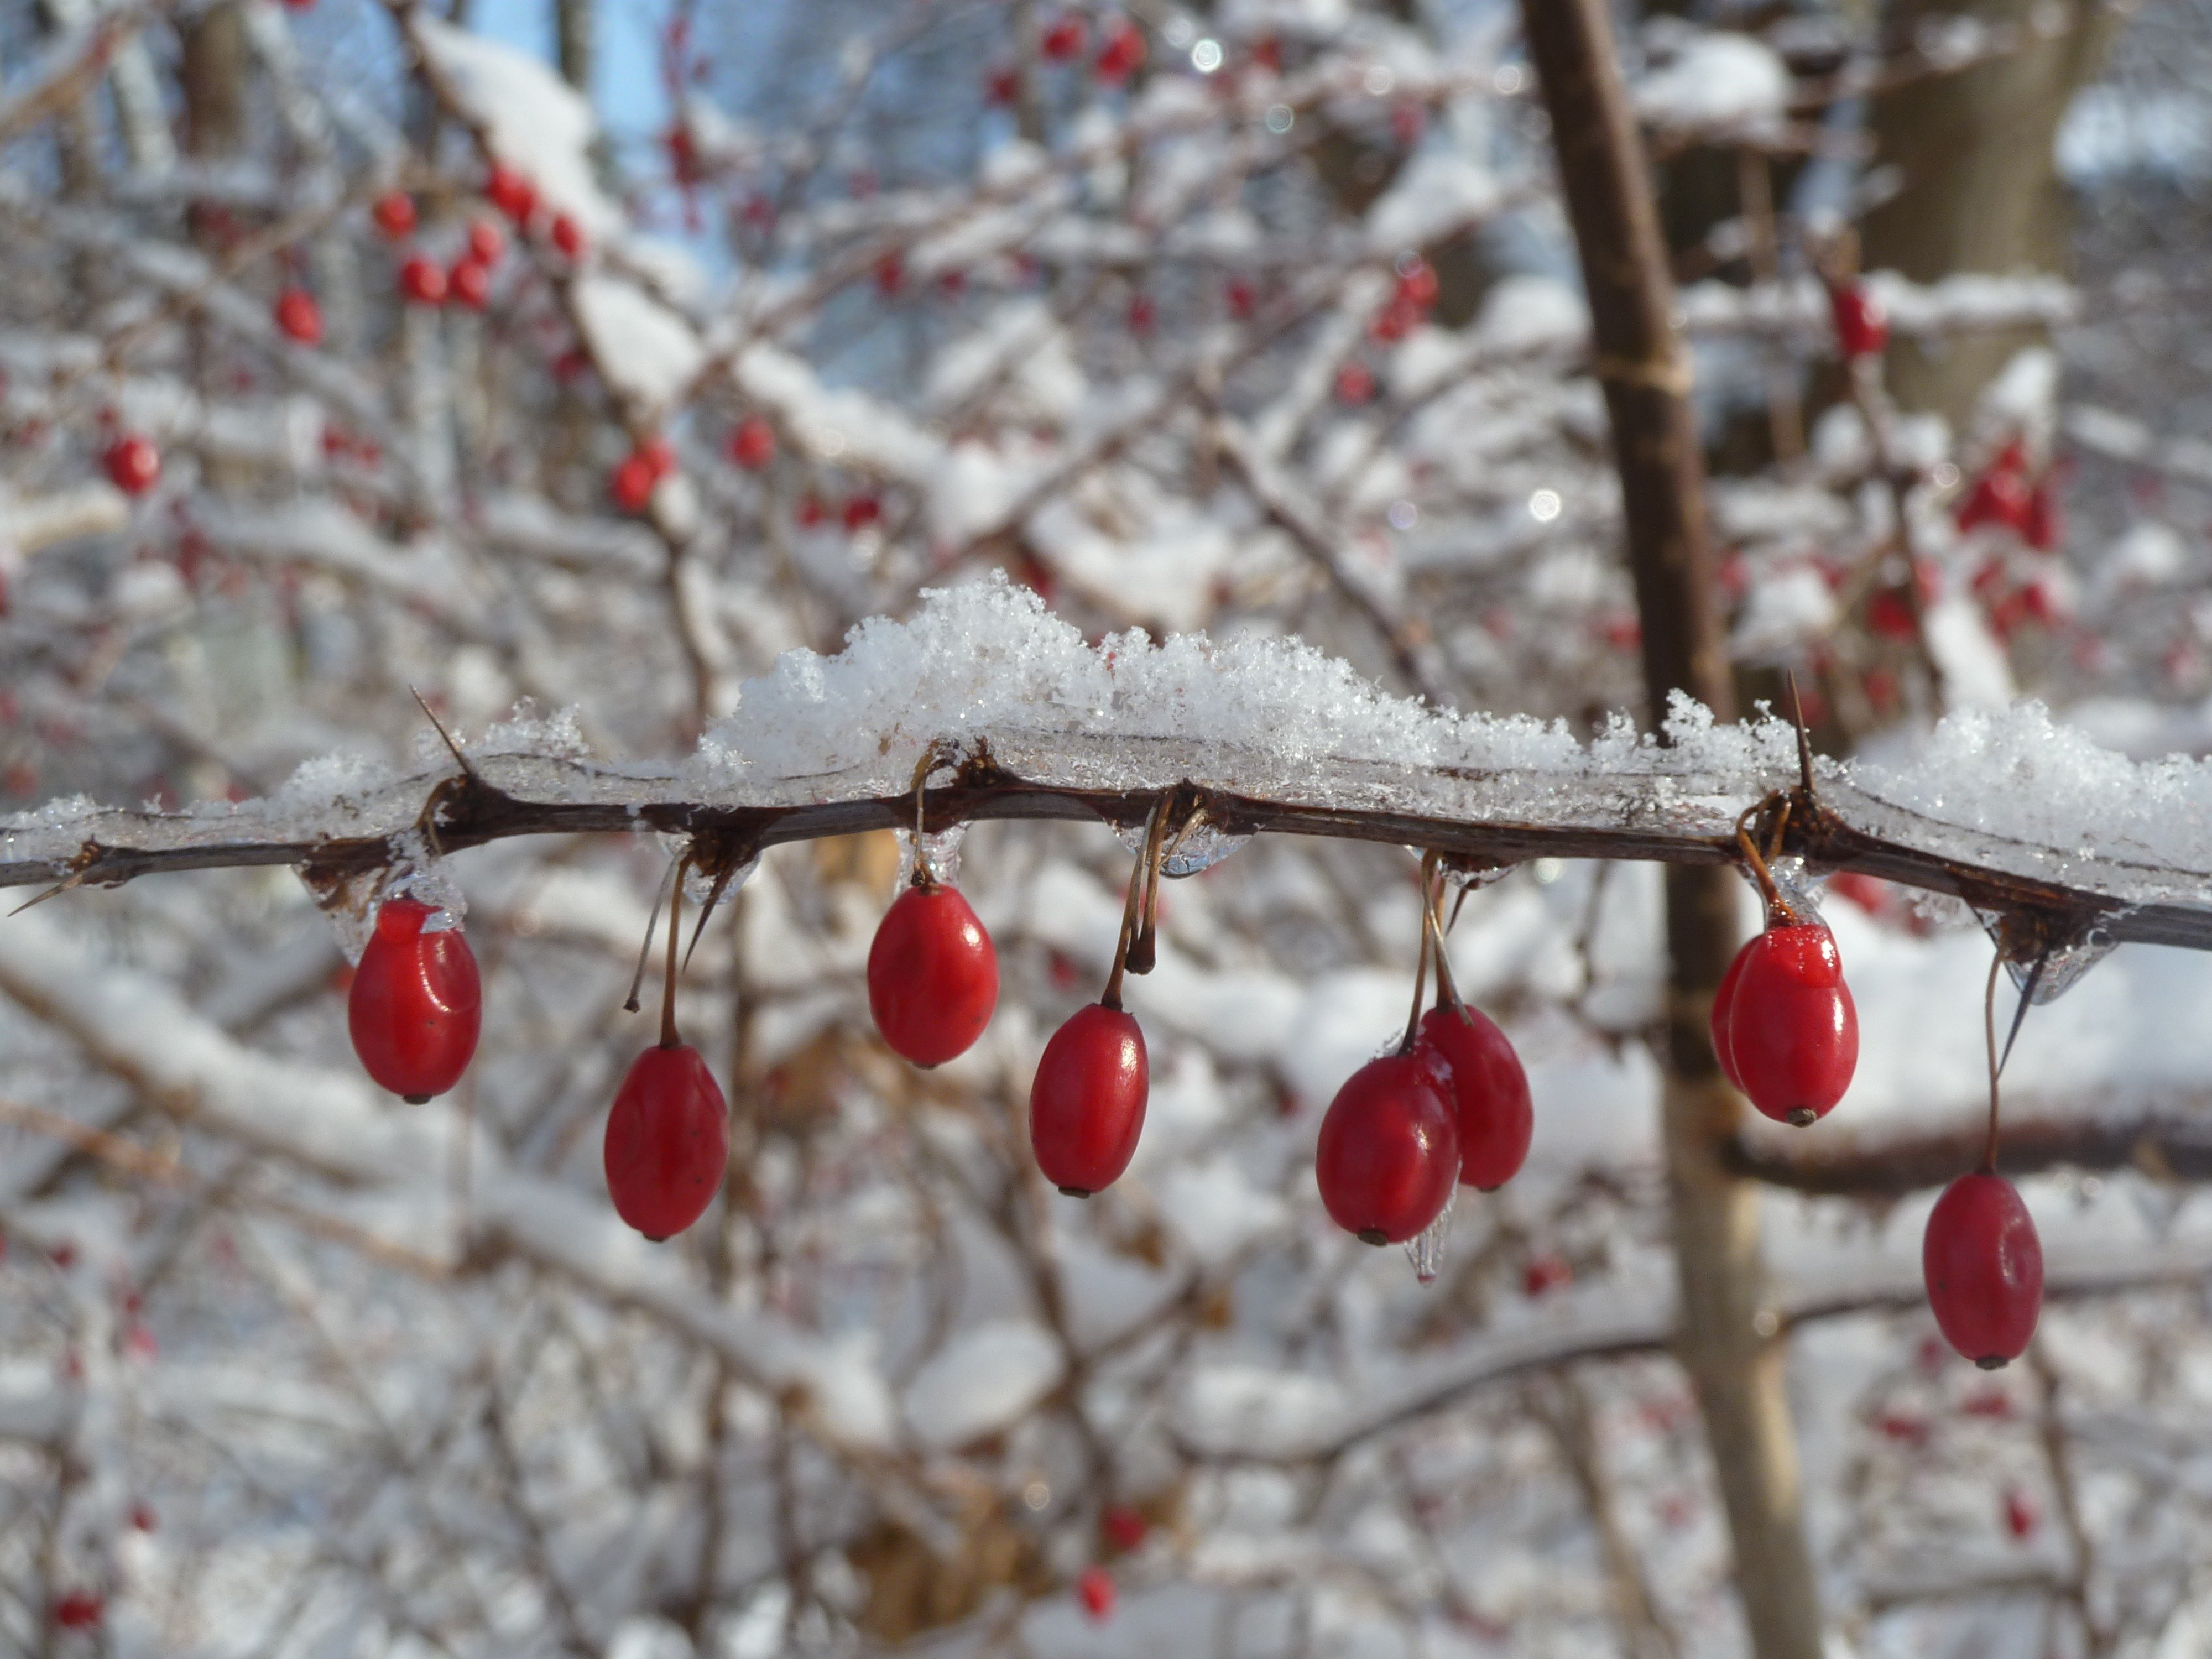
1793	1032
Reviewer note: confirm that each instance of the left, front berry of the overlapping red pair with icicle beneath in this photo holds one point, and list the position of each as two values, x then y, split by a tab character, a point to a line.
1390	1151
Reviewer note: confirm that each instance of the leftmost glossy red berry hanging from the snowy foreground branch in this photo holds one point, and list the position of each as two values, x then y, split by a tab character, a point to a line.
417	1005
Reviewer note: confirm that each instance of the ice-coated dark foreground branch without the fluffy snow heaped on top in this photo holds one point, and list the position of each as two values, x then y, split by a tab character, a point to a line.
1651	808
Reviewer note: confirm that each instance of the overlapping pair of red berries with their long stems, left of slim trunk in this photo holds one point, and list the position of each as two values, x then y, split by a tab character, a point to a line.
1450	1105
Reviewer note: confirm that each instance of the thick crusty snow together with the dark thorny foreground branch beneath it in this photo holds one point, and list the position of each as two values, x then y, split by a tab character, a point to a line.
2012	813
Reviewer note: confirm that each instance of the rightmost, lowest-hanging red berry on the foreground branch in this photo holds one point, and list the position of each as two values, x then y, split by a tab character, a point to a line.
1985	1269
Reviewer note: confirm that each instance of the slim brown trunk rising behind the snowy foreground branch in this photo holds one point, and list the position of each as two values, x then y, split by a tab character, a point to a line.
1733	1364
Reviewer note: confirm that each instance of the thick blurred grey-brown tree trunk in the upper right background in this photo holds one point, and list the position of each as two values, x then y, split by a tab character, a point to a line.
1979	180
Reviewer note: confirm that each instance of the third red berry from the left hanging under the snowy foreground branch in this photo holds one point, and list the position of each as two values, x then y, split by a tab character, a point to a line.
932	977
